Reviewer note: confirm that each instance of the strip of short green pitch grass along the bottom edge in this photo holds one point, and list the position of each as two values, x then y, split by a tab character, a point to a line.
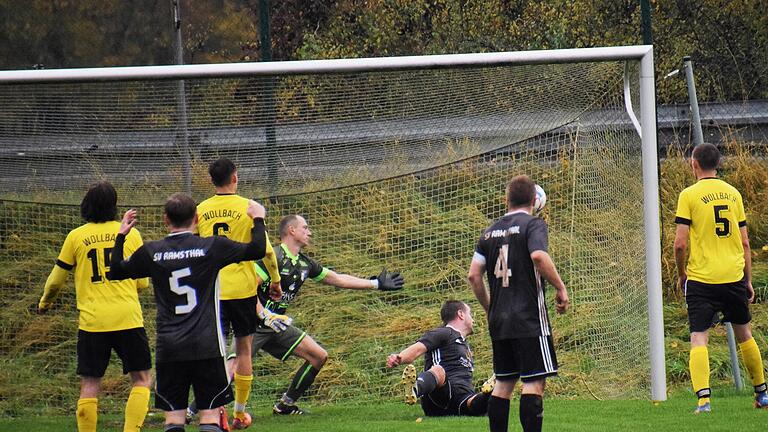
730	411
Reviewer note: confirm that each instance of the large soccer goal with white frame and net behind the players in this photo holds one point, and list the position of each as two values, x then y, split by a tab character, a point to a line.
398	162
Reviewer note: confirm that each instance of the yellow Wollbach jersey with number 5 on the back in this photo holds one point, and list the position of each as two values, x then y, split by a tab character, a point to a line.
714	211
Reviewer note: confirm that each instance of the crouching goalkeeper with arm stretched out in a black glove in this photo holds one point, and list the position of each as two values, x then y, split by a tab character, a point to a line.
295	267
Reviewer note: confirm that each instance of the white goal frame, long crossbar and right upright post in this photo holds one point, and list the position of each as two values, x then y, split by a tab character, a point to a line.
646	121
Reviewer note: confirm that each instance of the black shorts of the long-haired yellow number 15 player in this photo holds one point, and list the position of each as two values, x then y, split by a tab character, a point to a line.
95	348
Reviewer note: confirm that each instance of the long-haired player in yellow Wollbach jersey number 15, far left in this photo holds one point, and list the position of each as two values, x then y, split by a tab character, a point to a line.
110	312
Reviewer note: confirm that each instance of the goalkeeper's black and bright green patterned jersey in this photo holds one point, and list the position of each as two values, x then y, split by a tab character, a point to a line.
294	270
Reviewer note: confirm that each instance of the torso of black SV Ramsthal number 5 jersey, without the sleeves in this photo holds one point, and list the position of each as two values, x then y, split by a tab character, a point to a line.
184	269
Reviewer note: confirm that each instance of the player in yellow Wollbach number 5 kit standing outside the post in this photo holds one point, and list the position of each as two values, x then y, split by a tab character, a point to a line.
717	276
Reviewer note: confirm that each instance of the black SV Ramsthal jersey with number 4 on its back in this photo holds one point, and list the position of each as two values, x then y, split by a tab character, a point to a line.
517	307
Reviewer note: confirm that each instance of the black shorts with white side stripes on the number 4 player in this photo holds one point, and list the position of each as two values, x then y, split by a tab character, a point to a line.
529	359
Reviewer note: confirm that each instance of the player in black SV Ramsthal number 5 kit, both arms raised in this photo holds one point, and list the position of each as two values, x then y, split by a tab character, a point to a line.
190	347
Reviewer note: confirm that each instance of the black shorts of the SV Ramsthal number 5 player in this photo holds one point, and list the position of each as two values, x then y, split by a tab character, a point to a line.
208	379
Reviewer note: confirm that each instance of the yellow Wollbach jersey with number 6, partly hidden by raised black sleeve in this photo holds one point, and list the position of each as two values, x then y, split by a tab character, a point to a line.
225	215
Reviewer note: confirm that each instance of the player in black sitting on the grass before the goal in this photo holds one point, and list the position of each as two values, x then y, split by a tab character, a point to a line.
445	387
